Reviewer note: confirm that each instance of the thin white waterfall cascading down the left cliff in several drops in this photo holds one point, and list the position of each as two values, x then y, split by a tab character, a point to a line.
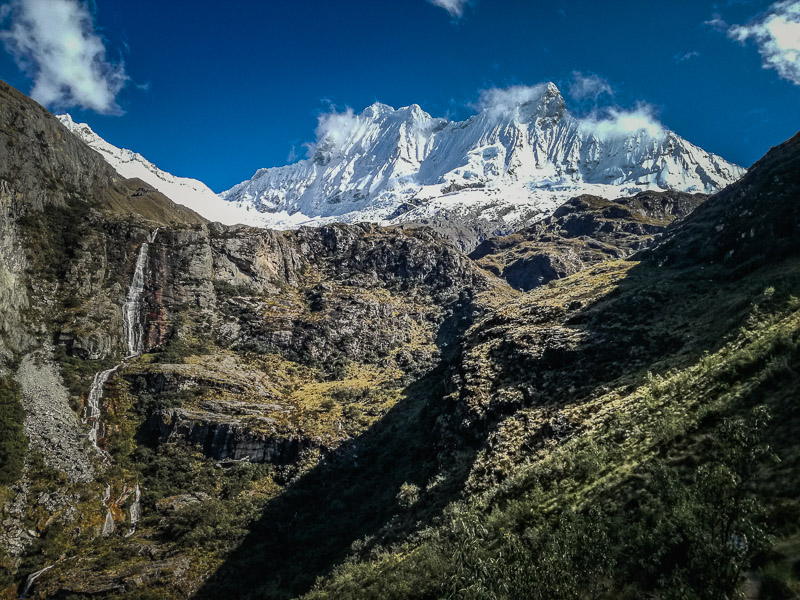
133	330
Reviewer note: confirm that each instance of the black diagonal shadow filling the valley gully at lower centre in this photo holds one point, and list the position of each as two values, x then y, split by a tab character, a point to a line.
353	494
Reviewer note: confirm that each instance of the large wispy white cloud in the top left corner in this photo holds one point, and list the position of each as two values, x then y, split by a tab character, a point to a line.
55	42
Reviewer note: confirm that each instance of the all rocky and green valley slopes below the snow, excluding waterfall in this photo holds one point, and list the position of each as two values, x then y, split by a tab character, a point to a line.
358	412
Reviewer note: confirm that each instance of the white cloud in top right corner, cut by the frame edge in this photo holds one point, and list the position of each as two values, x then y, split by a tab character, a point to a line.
777	34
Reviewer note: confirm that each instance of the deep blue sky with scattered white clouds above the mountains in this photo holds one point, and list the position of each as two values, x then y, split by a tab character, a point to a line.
216	90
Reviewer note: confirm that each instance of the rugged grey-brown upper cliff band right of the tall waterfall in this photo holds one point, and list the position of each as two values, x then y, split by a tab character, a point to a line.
329	273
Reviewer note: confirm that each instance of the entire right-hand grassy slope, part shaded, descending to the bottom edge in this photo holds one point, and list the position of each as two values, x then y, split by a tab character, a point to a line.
620	414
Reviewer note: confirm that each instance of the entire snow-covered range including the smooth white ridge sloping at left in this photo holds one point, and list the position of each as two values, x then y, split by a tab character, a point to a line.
503	168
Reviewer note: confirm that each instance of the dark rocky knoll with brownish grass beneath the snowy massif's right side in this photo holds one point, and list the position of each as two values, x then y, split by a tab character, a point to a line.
584	231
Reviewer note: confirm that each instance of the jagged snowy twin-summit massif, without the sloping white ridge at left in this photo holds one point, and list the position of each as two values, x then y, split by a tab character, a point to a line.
522	144
